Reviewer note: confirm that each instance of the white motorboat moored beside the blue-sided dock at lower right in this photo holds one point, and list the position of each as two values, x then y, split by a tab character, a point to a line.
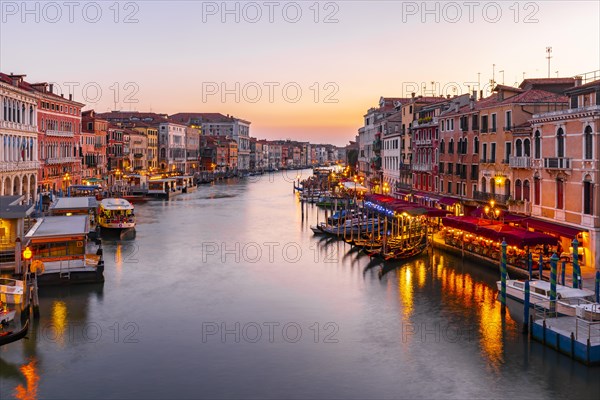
569	301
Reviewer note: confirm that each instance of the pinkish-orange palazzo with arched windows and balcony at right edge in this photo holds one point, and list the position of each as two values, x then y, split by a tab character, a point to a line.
566	168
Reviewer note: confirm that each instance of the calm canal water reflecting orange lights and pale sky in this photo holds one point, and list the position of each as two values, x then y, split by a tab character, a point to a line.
226	293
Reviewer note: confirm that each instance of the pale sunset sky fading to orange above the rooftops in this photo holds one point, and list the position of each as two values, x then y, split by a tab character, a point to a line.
178	53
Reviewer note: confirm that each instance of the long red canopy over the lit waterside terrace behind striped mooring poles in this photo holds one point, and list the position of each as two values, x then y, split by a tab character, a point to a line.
498	231
